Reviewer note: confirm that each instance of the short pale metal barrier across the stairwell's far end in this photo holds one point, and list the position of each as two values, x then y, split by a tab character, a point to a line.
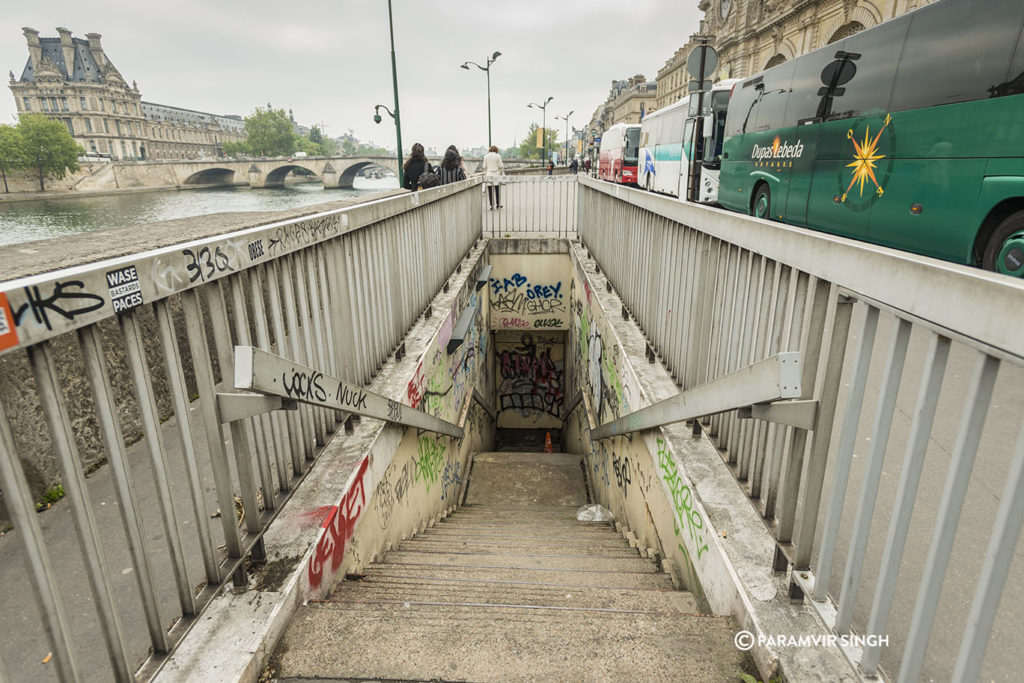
533	206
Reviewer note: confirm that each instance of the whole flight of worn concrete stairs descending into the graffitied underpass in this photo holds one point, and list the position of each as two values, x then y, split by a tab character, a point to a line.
511	588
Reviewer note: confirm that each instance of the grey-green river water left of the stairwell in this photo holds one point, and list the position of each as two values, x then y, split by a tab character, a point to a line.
24	222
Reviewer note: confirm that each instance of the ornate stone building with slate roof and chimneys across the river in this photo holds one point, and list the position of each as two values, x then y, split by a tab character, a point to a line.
73	80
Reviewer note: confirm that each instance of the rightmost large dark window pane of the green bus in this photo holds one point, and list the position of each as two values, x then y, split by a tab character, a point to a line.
957	51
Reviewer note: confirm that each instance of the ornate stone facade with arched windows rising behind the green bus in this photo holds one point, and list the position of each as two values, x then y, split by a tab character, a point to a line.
753	35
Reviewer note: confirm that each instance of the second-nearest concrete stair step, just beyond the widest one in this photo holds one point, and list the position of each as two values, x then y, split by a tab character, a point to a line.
400	590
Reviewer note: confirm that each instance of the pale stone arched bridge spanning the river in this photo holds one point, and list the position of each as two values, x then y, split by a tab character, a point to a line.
333	172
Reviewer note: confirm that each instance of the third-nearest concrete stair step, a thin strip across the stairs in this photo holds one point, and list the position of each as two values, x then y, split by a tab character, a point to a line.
569	578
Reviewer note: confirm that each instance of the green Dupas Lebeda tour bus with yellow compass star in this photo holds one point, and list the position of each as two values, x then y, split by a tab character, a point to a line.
910	135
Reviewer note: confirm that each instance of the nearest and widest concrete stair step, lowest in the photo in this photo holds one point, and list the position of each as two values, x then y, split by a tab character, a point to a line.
426	643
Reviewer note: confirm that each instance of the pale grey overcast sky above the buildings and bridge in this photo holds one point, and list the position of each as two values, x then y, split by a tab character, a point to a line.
330	62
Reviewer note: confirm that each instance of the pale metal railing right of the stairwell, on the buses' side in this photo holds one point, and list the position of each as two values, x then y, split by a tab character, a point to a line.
714	291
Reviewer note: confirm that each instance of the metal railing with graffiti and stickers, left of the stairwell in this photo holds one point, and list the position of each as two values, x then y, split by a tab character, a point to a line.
107	353
